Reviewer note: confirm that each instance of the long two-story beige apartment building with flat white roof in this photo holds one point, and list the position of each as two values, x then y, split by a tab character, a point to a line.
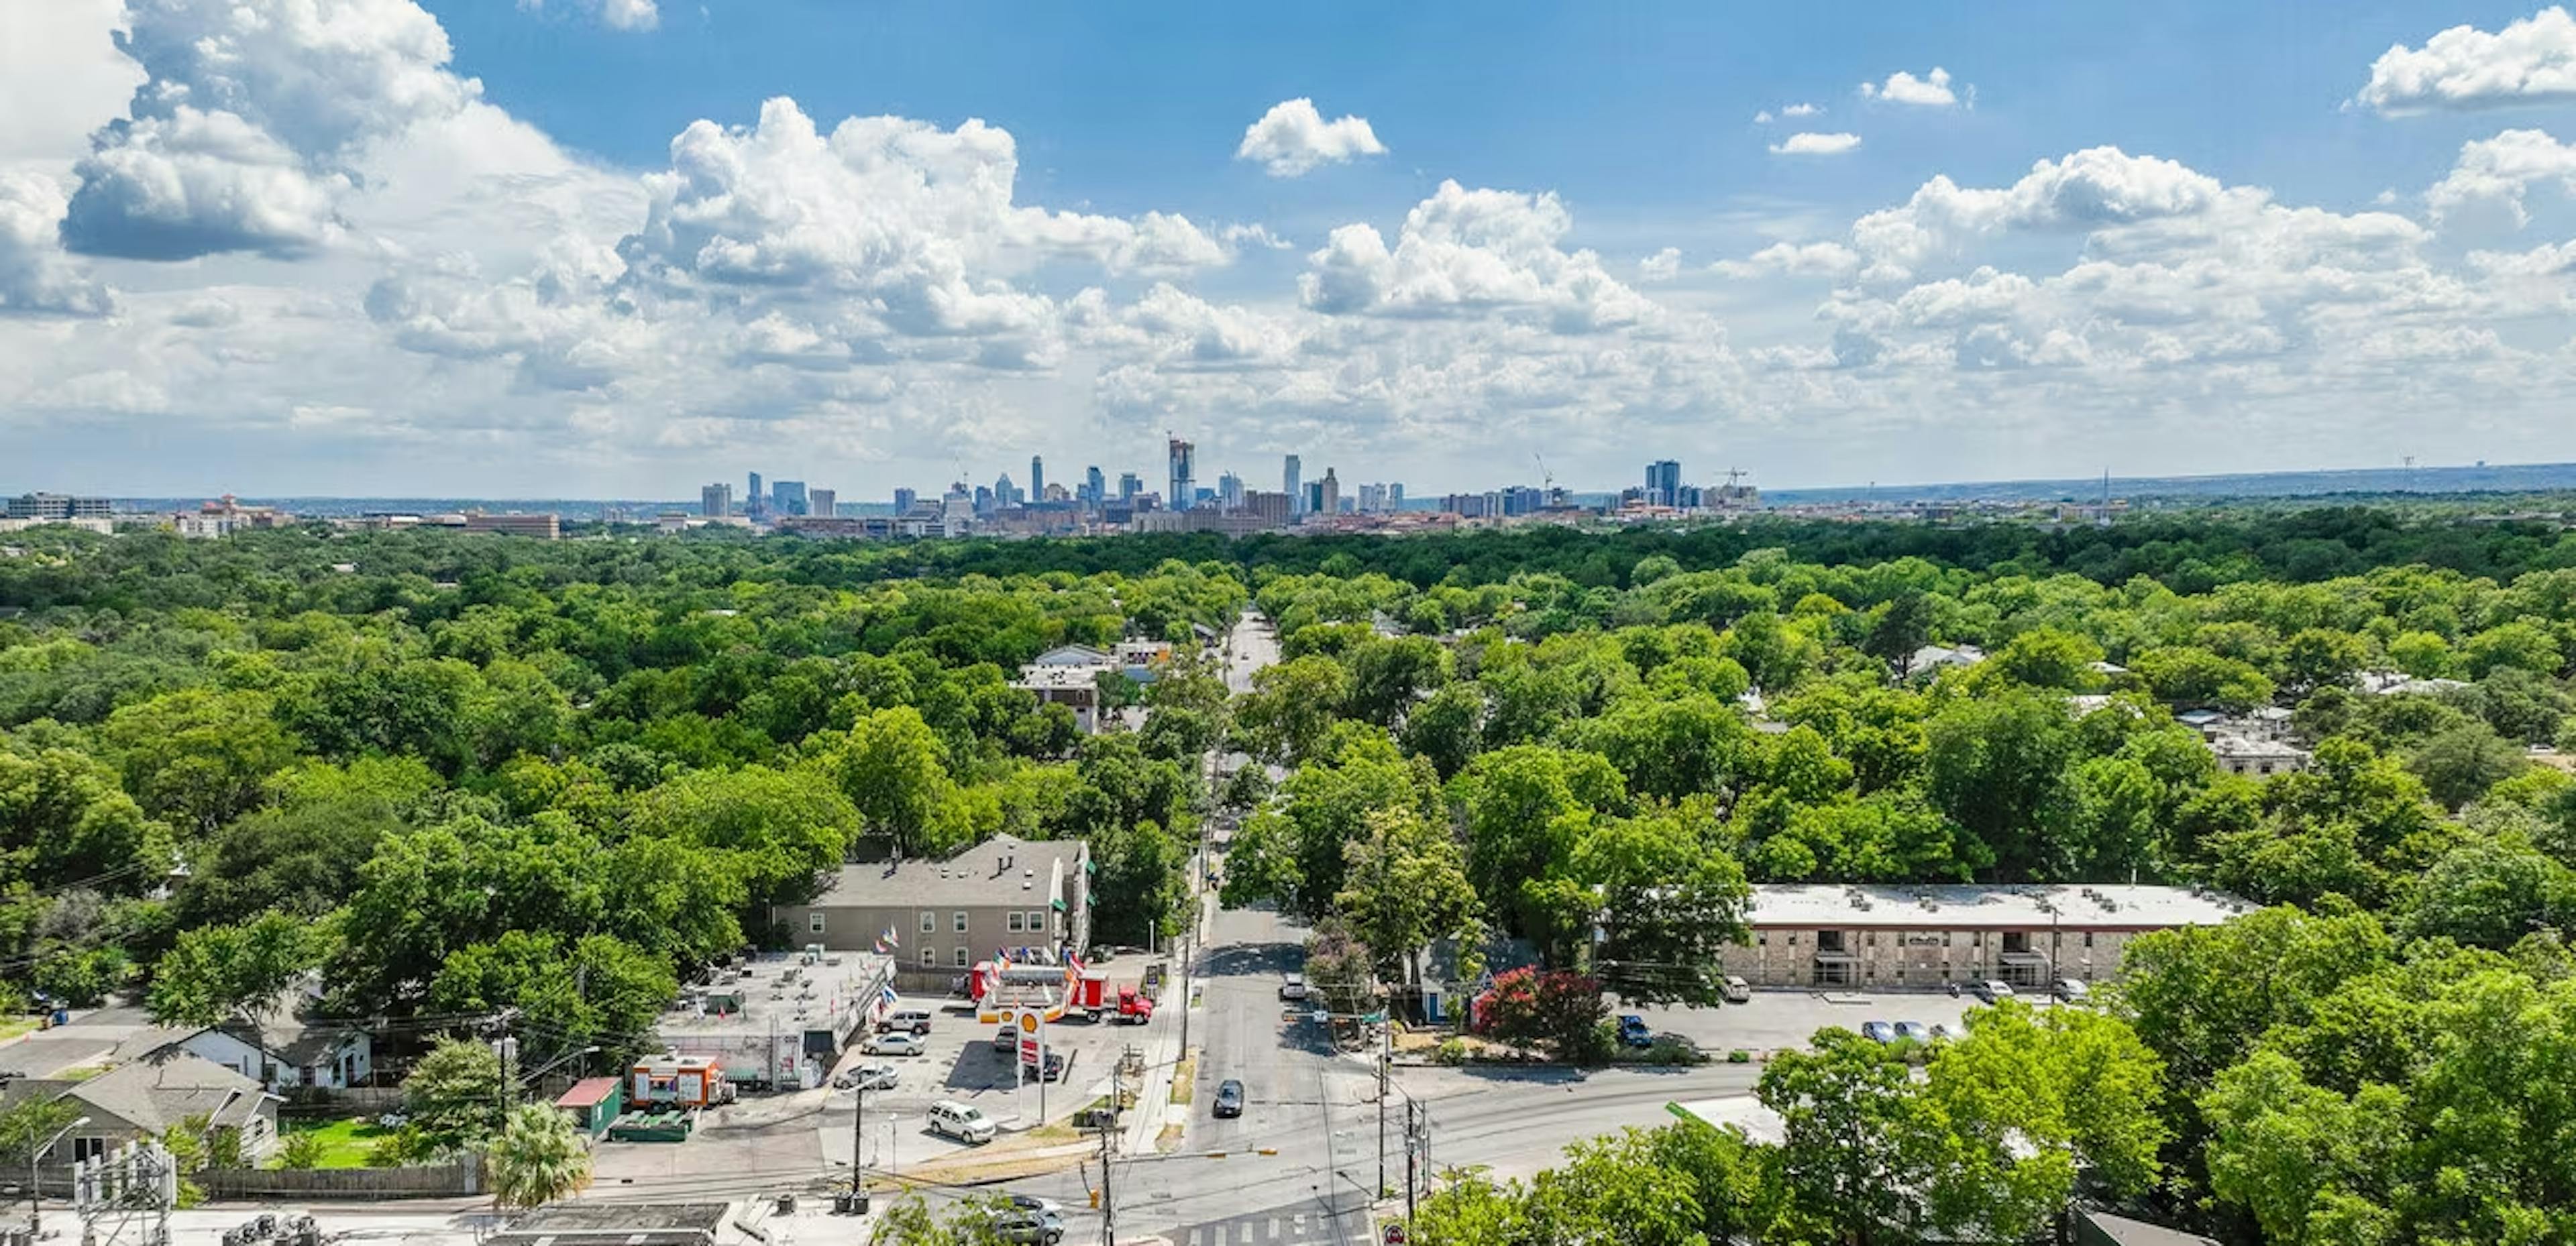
1892	938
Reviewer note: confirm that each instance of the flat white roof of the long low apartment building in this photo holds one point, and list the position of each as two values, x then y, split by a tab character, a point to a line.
1990	907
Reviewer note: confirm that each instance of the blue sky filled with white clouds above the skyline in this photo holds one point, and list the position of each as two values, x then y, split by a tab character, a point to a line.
478	246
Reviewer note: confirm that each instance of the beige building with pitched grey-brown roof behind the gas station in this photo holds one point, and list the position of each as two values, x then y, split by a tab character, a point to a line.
939	918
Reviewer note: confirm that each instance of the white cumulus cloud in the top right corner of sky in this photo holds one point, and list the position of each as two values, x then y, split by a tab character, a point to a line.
2464	68
